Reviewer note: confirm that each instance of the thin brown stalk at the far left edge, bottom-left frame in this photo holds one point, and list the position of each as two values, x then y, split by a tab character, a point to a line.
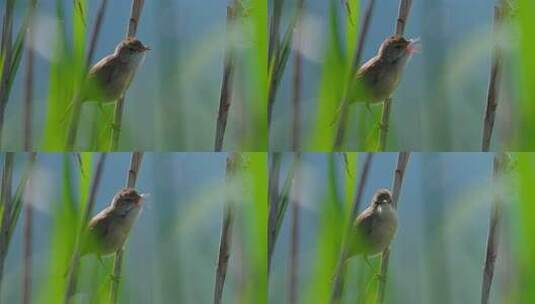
6	203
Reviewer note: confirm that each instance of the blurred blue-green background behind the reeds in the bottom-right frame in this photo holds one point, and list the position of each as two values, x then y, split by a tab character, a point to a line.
438	253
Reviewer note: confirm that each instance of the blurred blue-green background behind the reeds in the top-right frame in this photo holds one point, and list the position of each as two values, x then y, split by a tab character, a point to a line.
440	102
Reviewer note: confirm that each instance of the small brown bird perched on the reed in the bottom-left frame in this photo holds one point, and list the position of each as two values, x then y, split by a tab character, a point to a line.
108	230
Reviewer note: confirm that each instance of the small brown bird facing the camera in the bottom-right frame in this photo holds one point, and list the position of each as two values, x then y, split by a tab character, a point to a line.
375	227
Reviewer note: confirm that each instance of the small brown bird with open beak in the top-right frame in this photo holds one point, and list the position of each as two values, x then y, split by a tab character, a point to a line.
377	79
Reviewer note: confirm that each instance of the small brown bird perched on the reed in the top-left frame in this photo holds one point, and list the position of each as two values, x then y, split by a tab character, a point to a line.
109	78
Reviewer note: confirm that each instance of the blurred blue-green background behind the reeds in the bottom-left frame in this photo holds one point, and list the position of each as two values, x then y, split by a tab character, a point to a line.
172	249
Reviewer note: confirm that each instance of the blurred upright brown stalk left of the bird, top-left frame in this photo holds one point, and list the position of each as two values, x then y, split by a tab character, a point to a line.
28	81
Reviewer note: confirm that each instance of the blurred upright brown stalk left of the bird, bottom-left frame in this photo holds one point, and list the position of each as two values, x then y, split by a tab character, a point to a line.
27	245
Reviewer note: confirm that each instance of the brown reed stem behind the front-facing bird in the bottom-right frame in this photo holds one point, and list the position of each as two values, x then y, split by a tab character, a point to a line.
399	173
